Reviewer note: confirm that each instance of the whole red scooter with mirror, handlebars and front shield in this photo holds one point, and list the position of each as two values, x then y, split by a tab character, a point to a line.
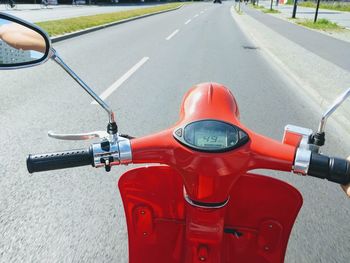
198	201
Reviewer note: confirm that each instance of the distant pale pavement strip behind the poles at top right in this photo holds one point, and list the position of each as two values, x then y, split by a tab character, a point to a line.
341	18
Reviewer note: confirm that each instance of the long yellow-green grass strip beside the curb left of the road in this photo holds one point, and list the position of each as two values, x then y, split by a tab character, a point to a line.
65	26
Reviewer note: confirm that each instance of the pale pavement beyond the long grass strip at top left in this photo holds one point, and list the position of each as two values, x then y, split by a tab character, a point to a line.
34	13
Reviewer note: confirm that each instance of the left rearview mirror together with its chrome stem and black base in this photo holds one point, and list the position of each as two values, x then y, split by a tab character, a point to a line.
23	44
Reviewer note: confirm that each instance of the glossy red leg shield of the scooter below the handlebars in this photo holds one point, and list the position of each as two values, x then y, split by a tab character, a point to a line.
162	227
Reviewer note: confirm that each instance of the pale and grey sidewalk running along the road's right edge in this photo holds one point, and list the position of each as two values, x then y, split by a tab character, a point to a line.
317	65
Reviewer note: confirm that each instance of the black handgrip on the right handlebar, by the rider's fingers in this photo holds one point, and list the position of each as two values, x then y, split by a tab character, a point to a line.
333	169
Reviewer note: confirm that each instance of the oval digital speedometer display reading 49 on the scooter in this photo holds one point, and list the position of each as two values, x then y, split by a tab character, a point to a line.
211	135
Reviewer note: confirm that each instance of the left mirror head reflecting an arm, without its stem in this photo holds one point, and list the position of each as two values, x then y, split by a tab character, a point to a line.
21	44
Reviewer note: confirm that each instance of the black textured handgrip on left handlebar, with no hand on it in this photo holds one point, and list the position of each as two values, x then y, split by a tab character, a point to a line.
59	160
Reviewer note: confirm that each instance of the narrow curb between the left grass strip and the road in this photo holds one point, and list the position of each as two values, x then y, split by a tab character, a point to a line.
92	29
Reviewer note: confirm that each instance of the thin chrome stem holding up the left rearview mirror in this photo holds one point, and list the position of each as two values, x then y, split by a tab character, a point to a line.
60	62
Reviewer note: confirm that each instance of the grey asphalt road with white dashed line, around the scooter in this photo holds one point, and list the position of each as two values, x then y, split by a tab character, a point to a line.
76	215
